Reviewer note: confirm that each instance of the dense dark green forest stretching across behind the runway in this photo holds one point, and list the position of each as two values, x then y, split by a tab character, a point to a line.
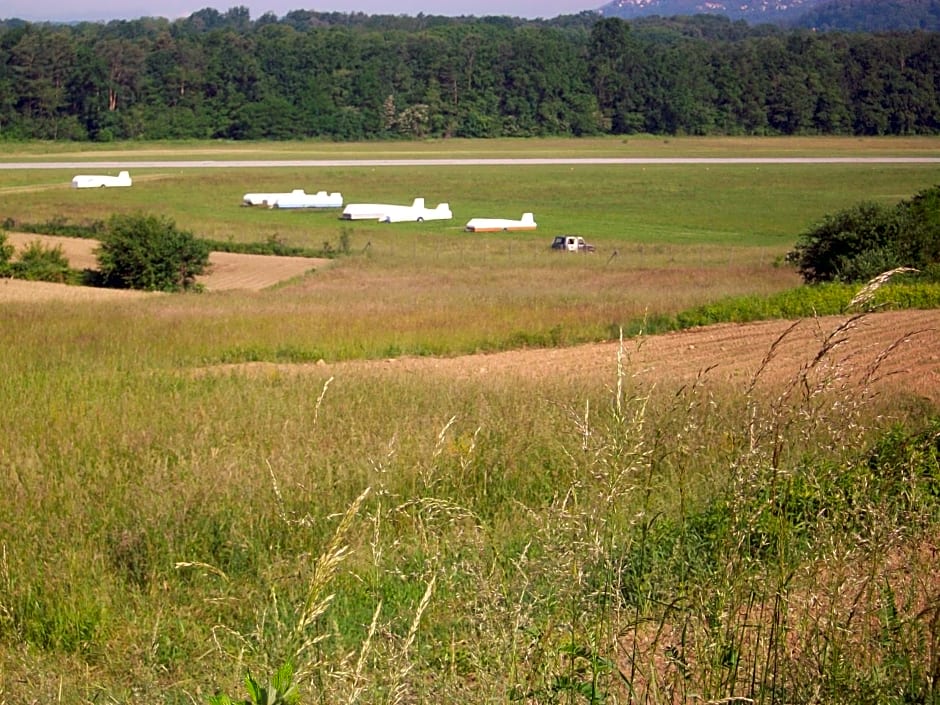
356	77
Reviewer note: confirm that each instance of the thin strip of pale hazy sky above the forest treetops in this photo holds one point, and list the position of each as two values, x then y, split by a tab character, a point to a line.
64	10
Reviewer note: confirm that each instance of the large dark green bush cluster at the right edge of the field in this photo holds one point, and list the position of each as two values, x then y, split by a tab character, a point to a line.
867	239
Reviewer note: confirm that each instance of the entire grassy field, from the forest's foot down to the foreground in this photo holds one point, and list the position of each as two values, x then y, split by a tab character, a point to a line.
168	526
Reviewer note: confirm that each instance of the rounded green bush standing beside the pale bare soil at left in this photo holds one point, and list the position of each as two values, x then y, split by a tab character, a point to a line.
149	252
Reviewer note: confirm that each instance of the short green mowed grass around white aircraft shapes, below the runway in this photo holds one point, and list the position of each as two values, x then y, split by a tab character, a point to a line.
746	205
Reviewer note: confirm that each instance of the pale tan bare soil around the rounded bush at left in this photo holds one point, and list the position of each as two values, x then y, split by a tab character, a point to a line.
226	270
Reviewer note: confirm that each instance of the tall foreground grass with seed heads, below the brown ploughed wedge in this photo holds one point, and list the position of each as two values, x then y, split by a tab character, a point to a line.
404	539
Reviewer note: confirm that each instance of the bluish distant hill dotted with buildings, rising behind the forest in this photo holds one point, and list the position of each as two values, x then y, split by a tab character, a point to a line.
843	15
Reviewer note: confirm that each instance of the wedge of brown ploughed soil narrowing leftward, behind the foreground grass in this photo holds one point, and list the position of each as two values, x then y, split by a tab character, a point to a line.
872	353
